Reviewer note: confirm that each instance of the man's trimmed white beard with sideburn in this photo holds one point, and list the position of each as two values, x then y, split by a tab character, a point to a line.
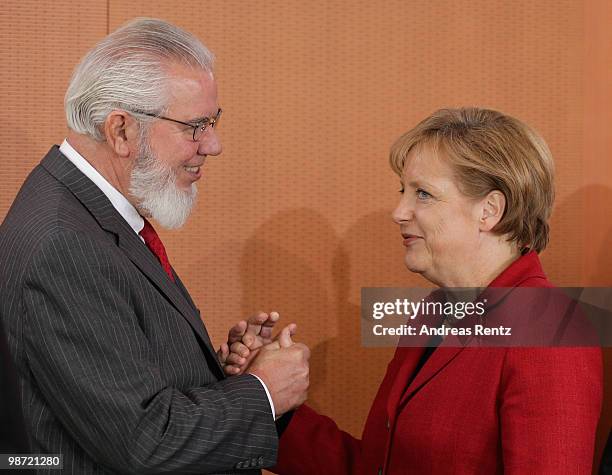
153	185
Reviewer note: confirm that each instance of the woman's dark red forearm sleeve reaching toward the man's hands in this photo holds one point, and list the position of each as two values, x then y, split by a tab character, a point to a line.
313	443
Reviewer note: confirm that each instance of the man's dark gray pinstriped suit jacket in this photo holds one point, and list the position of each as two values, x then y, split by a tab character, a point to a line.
116	368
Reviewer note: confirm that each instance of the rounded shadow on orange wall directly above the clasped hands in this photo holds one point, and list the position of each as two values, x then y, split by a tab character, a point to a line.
284	268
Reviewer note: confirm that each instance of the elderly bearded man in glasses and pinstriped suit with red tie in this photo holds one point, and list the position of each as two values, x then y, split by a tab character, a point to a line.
116	369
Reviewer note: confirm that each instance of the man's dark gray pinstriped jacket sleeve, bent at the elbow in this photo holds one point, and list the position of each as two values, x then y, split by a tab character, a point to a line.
97	371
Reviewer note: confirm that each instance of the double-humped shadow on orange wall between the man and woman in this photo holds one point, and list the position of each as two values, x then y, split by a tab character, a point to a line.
313	276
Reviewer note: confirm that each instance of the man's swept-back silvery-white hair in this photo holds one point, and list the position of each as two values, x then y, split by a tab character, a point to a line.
128	70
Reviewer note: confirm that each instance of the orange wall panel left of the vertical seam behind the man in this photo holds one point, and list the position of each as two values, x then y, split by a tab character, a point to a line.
40	43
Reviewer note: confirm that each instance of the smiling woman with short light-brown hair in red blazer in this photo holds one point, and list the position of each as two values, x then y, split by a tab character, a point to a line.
477	196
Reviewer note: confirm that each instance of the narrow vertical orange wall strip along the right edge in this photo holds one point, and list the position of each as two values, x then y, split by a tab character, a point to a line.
595	196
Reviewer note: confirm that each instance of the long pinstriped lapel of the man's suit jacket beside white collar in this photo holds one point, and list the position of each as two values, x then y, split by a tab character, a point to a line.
128	241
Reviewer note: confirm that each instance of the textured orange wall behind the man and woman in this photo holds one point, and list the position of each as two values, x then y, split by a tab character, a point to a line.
294	215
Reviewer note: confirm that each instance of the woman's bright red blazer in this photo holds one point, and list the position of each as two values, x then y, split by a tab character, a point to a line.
468	411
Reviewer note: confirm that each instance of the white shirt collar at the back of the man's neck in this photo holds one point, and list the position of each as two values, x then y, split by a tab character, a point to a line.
119	202
